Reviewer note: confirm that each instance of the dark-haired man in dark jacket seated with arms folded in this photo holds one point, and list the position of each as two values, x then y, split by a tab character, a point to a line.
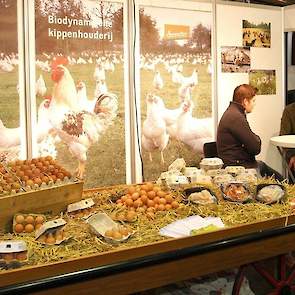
237	144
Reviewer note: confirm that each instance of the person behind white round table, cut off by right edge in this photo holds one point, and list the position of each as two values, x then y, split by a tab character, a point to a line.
288	128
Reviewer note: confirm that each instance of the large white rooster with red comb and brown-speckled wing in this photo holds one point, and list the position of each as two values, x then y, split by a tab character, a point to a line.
78	128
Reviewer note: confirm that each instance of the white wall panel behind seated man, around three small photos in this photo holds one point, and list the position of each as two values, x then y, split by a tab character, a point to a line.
265	119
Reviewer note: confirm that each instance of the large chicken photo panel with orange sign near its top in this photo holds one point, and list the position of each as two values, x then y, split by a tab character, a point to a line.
175	86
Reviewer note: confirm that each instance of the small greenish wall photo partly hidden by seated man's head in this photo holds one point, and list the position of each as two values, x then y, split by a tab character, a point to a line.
264	81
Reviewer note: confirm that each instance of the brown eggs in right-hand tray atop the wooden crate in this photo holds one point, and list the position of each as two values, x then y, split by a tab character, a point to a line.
38	171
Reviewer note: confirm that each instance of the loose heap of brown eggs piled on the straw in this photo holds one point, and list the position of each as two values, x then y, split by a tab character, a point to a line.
147	197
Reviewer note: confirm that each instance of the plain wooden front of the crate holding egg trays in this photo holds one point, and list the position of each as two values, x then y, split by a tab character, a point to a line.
53	200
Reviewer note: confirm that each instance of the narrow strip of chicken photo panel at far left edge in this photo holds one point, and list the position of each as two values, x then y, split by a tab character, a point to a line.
10	132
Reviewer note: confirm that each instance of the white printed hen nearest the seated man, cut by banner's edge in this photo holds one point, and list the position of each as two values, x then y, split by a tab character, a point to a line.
192	131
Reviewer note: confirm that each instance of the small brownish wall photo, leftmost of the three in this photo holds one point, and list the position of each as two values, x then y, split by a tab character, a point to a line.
235	59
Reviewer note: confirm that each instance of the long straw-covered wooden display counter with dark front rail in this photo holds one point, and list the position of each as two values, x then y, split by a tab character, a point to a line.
87	264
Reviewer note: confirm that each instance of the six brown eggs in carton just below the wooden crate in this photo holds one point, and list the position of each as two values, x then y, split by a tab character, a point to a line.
27	223
